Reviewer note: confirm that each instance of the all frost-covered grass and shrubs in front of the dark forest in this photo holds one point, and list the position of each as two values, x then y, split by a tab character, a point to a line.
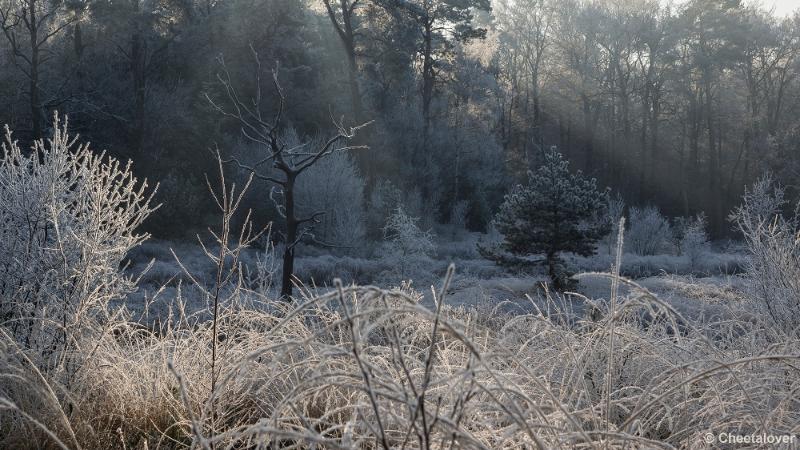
208	355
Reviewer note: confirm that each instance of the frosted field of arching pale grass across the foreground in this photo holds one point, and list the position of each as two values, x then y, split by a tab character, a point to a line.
359	366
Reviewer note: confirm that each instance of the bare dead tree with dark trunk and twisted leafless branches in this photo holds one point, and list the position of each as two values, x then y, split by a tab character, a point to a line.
289	162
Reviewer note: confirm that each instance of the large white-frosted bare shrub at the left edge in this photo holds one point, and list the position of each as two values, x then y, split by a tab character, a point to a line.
67	218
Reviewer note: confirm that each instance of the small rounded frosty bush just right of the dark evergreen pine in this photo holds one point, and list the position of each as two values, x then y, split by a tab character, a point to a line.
649	232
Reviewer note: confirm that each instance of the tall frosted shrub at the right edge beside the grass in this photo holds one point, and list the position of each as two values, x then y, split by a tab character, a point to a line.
773	242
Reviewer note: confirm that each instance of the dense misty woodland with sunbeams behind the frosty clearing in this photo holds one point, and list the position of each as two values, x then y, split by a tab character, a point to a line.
674	105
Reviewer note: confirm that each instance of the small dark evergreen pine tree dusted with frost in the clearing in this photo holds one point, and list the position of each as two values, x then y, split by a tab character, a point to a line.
557	211
